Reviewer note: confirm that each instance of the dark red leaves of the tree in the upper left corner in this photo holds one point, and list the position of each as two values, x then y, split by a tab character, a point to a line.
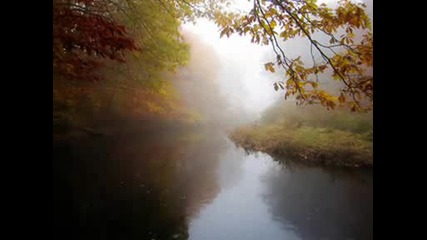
83	32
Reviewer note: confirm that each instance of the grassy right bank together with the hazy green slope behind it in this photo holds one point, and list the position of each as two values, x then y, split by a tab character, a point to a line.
310	135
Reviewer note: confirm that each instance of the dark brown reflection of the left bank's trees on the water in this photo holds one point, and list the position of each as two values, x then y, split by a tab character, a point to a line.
133	188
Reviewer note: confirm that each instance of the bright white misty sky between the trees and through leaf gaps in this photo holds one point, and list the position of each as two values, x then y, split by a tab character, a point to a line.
241	76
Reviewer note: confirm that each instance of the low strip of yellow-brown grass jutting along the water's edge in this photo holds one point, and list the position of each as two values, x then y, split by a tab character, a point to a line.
313	145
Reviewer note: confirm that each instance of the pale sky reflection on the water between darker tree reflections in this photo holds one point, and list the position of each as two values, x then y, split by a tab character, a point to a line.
239	211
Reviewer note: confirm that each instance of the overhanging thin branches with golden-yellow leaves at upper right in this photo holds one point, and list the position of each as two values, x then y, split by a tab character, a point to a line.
347	57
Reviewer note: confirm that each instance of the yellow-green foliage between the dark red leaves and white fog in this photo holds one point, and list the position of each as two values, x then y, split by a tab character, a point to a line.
161	47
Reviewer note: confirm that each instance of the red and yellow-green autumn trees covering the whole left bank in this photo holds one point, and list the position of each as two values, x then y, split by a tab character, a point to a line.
91	40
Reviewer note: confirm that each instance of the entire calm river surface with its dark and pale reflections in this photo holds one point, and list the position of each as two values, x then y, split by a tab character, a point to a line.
200	187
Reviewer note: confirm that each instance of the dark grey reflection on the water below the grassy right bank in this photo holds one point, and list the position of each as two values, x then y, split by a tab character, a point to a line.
321	203
